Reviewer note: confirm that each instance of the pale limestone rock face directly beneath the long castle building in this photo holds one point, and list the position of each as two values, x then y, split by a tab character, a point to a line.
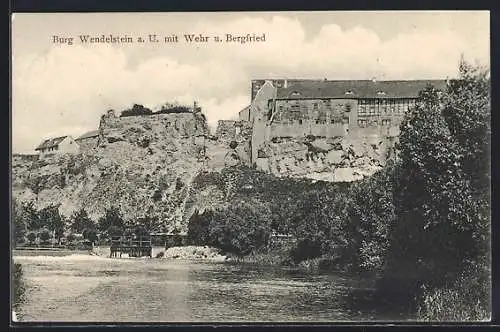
338	159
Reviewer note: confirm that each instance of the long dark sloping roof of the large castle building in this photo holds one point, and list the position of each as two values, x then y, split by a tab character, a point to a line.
303	89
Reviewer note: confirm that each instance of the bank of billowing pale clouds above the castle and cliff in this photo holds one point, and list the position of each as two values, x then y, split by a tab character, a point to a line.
65	90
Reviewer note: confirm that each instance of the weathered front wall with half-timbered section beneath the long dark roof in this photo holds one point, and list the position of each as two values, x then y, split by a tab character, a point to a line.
338	117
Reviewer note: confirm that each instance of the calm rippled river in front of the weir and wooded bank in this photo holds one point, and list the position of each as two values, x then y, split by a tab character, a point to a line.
83	288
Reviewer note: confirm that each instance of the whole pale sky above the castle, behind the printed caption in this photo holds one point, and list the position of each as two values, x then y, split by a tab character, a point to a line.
60	89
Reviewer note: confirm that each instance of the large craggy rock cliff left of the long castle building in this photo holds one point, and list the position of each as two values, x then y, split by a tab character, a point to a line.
142	164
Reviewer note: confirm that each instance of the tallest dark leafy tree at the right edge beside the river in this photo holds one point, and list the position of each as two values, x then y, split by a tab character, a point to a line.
441	198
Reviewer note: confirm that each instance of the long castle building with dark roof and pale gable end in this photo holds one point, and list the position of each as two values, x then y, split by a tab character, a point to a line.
329	108
